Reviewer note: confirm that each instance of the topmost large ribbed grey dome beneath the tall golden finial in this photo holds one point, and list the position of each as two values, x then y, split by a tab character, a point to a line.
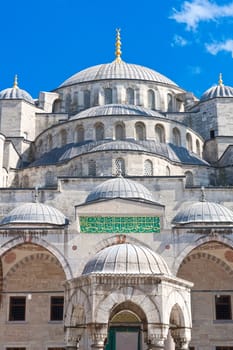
117	70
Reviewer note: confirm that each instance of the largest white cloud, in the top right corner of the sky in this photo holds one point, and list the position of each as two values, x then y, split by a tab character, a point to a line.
195	11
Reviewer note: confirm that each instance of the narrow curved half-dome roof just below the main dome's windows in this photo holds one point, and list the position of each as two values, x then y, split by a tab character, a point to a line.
116	109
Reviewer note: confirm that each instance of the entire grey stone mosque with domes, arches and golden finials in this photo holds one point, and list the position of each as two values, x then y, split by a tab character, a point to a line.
116	209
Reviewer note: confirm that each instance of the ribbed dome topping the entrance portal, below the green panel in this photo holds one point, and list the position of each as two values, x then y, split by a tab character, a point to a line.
126	258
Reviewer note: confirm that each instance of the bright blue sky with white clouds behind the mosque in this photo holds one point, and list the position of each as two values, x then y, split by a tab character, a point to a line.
47	41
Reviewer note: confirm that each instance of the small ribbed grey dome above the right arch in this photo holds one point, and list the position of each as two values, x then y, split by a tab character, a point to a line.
204	212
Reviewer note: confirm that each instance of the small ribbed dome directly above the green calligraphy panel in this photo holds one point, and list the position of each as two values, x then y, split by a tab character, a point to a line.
120	188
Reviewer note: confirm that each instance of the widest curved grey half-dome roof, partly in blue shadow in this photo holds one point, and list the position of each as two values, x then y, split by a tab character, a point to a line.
71	150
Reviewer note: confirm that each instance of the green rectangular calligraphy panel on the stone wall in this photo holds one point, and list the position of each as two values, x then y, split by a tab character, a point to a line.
116	224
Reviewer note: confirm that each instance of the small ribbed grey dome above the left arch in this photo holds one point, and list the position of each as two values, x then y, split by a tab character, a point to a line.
35	213
